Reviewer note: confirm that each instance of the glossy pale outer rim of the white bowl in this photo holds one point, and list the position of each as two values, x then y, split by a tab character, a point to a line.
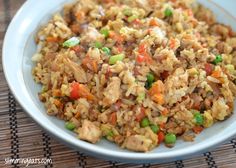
91	148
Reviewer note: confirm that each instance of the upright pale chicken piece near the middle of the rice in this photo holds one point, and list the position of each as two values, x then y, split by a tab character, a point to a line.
112	92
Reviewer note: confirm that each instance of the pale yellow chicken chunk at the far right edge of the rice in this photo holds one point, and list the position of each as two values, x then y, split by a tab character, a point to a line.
220	109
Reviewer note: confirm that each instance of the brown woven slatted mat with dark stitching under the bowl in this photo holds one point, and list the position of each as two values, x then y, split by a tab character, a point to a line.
21	137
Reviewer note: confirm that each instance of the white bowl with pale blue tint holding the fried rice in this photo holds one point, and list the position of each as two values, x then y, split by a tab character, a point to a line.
18	49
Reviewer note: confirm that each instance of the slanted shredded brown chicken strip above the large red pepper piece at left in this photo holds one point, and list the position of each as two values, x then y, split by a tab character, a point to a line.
78	72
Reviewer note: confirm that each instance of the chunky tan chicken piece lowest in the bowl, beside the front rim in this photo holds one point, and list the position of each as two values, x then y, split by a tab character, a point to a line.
138	143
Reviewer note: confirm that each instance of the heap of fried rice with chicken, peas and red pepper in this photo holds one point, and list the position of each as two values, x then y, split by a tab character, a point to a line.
136	72
